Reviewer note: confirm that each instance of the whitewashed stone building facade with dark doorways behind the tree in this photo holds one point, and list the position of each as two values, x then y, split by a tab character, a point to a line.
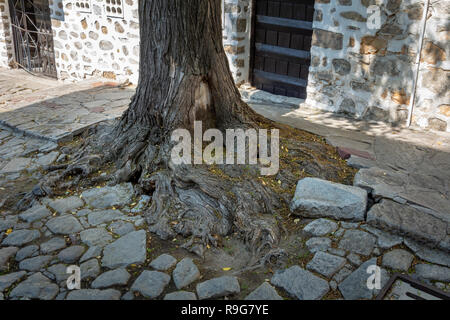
346	56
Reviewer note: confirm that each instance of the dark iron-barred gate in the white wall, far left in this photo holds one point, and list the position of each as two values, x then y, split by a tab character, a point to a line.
33	36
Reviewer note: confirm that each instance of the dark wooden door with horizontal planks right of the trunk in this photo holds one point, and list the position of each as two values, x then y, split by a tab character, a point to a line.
280	46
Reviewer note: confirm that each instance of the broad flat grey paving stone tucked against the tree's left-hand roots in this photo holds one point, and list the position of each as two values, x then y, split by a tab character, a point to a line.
106	197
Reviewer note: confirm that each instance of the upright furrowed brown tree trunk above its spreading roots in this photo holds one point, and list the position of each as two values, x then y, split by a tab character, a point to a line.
184	72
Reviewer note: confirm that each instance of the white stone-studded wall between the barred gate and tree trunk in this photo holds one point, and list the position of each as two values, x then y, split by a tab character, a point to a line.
90	41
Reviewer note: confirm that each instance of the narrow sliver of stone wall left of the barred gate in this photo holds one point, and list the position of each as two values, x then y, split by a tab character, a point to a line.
6	46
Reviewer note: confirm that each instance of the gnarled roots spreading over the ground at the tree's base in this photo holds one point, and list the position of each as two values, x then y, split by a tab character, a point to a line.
201	203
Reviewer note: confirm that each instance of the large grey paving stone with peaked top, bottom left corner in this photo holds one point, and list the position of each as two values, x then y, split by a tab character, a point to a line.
36	286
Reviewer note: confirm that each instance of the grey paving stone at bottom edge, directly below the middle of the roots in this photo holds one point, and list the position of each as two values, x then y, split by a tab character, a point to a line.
218	287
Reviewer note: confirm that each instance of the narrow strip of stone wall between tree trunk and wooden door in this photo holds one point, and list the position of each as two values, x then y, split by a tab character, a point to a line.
236	37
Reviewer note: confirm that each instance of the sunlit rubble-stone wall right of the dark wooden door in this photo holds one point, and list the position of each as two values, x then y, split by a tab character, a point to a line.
367	72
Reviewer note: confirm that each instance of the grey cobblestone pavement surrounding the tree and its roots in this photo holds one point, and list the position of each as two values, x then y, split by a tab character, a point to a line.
401	224
